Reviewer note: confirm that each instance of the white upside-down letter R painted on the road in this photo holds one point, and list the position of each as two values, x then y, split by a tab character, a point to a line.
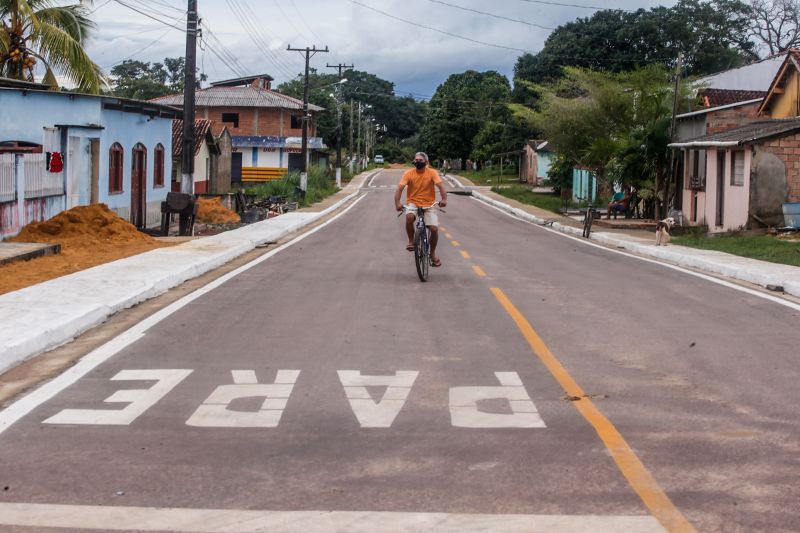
214	411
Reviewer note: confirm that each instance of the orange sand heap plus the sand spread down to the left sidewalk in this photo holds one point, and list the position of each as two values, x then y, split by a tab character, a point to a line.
88	235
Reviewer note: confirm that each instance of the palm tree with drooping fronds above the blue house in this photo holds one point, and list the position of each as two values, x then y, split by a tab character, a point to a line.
40	31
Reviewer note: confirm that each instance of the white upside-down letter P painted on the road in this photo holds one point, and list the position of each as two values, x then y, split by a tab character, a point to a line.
465	412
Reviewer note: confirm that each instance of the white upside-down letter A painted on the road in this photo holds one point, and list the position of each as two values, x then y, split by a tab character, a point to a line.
380	414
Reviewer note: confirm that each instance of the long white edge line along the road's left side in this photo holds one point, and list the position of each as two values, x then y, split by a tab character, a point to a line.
88	362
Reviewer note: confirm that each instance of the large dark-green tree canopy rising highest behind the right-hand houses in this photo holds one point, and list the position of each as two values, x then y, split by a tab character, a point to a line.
712	35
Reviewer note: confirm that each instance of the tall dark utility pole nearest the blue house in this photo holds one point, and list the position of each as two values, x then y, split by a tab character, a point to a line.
187	156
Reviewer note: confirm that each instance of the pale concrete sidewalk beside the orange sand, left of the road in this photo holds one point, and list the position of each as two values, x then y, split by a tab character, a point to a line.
43	316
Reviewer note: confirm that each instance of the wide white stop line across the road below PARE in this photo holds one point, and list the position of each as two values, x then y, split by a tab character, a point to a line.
230	520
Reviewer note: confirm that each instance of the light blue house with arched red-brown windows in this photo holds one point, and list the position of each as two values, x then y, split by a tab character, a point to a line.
59	150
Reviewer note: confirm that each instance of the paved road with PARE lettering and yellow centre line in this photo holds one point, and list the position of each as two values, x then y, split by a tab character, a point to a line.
535	383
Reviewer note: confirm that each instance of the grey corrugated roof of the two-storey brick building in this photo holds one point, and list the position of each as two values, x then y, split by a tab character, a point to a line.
238	97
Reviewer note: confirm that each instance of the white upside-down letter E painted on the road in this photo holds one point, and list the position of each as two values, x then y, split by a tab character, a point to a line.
139	400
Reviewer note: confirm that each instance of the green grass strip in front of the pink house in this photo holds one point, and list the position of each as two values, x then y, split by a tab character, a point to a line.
764	247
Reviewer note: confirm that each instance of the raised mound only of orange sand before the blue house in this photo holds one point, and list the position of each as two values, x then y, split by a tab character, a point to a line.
83	225
